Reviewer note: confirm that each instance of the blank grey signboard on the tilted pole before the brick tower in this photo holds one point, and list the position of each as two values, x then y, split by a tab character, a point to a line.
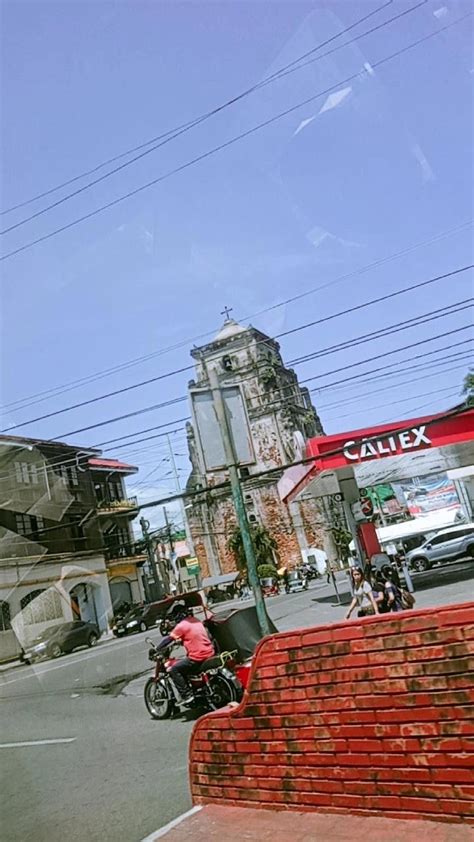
208	432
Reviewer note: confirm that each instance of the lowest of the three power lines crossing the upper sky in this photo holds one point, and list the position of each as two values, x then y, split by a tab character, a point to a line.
225	145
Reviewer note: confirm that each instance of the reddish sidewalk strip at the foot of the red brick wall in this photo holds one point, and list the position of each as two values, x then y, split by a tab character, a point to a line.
237	824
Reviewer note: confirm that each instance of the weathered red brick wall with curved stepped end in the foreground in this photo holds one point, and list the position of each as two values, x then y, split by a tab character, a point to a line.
370	716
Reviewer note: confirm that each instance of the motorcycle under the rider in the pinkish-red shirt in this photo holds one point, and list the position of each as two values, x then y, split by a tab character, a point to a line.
213	688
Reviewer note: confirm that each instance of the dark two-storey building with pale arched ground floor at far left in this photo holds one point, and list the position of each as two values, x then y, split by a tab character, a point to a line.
53	539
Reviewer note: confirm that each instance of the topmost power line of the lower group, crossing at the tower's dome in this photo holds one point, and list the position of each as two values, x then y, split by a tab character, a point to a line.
58	390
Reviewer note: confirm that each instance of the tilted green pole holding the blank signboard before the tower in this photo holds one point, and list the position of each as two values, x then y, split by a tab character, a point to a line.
232	467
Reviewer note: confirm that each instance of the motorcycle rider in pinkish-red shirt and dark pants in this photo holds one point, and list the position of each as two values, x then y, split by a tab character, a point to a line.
184	627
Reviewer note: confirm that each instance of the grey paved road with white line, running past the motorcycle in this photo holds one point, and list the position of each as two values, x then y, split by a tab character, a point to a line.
122	775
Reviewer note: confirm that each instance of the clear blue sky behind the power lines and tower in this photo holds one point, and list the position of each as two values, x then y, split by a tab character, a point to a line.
382	163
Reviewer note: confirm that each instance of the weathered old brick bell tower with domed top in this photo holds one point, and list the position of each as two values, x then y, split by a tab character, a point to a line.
280	417
